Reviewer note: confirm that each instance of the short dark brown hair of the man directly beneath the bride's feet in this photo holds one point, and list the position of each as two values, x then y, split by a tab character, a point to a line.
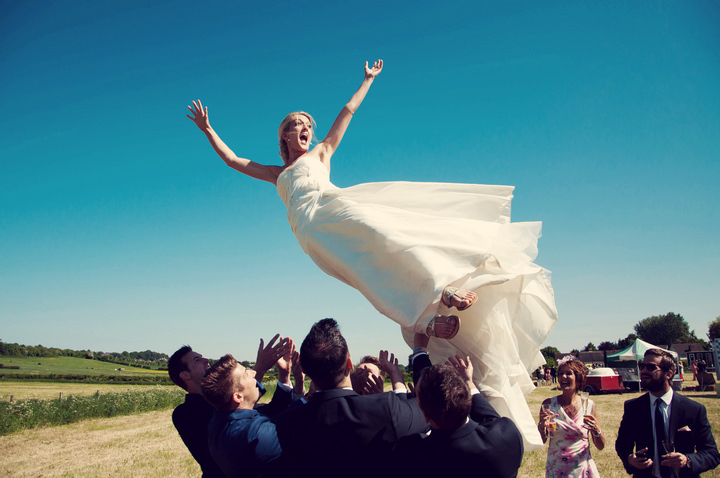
444	396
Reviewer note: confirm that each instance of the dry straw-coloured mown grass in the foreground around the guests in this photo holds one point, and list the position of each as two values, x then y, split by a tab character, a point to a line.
147	444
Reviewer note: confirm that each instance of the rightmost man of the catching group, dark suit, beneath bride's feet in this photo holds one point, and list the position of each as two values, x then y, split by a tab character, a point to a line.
467	433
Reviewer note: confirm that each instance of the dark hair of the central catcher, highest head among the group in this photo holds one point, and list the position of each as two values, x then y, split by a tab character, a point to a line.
324	353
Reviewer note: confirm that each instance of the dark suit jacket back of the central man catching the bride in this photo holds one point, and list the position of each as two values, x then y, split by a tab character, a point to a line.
338	432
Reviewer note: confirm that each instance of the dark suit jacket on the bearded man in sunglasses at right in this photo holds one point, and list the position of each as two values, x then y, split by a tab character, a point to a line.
689	429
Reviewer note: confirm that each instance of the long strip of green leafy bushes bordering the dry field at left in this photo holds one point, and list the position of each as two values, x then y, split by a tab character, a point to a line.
34	413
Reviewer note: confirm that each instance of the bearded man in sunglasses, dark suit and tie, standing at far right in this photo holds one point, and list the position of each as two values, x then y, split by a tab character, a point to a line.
664	416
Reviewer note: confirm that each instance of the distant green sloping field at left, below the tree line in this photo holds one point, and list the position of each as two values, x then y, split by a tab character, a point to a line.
70	365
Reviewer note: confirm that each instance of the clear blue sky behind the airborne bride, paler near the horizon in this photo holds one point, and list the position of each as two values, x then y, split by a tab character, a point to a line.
120	229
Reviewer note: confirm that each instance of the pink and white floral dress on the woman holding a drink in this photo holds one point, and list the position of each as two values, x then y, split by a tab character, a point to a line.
569	449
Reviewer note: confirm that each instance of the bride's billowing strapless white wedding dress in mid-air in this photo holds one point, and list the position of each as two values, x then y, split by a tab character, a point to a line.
401	243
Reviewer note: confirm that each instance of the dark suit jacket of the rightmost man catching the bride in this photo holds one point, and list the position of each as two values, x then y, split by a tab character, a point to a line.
487	443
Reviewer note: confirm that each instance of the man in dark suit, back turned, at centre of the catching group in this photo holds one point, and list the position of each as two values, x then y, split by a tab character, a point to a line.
338	429
